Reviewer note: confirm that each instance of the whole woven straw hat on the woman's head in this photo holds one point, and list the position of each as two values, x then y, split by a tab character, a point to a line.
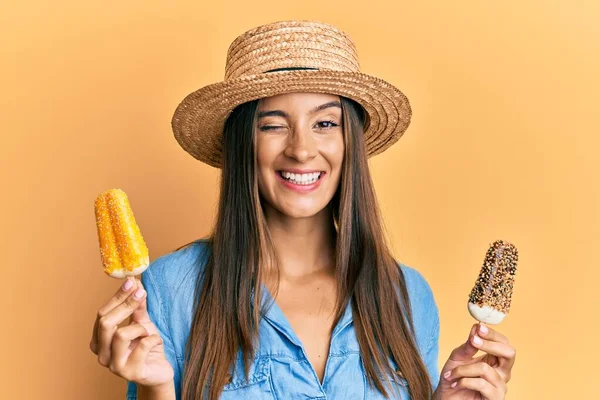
285	57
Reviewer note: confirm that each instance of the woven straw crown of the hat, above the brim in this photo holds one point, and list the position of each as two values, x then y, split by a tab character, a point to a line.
307	46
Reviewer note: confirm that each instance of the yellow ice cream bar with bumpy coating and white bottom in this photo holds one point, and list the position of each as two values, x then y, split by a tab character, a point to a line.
122	247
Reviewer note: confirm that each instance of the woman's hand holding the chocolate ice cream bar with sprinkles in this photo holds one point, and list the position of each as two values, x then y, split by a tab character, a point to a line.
482	378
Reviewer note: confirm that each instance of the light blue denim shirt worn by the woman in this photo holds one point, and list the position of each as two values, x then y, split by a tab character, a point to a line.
280	369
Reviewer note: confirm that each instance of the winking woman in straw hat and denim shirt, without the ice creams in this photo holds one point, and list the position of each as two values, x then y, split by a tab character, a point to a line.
295	294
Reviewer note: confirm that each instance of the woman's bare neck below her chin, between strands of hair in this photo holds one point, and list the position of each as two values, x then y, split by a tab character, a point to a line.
303	246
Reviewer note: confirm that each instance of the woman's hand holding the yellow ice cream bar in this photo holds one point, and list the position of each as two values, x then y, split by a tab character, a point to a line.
135	351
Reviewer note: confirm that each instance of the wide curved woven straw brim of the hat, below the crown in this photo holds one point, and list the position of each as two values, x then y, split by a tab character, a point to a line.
199	119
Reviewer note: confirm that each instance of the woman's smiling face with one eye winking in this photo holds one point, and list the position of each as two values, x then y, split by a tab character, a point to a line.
300	149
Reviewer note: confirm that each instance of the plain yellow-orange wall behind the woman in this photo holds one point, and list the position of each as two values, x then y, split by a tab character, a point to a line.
502	145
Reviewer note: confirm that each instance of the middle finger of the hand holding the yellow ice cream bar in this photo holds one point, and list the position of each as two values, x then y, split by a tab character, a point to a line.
107	325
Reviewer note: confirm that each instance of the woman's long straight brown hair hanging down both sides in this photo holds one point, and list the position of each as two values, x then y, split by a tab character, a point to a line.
225	317
